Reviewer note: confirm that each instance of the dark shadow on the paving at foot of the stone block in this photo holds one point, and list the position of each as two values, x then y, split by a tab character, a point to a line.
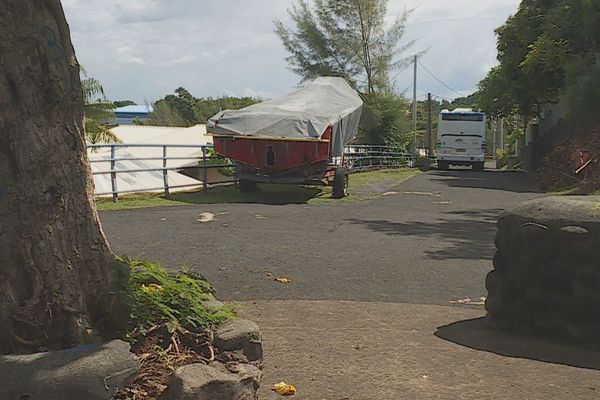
478	334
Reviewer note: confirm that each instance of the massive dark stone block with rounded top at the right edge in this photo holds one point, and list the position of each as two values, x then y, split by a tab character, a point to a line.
546	276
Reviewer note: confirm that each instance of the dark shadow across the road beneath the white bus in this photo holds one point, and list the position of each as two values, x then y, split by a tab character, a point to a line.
510	181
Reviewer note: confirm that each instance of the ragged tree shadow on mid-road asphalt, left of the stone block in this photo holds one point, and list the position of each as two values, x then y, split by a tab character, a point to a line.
469	238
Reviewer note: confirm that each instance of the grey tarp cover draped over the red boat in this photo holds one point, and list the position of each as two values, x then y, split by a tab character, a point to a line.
303	114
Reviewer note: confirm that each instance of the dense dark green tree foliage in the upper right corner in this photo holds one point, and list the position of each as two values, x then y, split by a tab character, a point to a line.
547	51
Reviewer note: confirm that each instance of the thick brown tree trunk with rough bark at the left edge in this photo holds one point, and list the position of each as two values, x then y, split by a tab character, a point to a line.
56	268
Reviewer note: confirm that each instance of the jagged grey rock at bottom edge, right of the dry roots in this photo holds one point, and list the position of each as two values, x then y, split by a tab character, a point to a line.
203	382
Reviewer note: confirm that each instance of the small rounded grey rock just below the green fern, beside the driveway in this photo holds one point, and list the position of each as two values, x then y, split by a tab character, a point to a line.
240	335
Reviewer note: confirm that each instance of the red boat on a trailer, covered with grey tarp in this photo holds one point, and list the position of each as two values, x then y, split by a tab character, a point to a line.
296	139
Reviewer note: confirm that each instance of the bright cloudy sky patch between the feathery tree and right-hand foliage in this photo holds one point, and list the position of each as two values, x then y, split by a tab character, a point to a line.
460	39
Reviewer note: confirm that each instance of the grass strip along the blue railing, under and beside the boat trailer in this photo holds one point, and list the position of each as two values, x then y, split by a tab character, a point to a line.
363	186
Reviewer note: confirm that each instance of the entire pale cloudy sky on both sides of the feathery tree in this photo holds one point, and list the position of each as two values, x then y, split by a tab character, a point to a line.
142	50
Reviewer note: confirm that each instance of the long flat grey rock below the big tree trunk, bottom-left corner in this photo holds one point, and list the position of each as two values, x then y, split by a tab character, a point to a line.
90	372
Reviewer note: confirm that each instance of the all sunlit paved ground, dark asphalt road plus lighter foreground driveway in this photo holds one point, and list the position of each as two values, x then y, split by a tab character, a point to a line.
385	295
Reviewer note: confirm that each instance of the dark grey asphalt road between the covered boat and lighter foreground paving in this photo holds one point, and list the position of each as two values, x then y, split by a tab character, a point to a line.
430	240
